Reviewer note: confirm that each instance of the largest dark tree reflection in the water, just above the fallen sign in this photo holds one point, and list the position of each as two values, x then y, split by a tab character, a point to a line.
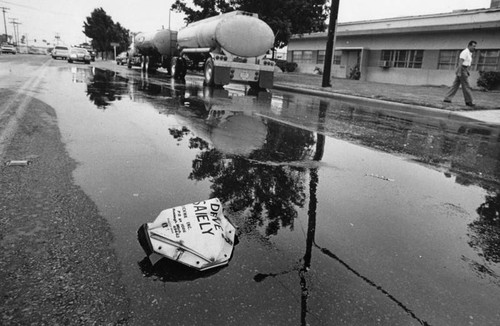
259	182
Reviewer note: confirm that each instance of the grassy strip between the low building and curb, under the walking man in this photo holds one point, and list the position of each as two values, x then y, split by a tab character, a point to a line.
427	96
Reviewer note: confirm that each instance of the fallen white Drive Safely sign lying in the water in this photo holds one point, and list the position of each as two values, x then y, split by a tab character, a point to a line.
197	235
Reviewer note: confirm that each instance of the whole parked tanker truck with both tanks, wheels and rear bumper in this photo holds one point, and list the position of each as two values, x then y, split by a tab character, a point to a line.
230	47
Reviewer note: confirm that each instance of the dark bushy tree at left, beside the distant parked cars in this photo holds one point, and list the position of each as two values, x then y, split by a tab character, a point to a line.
103	30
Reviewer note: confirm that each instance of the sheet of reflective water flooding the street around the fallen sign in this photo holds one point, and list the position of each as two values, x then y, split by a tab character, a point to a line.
348	212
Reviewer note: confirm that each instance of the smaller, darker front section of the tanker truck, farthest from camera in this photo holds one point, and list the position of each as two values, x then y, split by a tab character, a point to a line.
154	49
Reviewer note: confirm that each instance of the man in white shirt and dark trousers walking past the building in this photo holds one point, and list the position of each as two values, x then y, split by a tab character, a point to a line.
462	76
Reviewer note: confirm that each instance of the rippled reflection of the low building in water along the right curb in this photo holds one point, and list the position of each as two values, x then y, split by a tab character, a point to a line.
458	145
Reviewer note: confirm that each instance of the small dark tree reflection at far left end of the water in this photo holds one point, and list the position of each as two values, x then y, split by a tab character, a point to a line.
105	88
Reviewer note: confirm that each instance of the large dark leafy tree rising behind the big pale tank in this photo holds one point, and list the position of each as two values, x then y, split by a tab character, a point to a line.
285	17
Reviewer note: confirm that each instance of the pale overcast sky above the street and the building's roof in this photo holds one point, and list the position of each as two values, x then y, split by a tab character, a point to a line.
44	19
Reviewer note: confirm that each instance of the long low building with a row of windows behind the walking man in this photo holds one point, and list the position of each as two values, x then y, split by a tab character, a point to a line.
418	50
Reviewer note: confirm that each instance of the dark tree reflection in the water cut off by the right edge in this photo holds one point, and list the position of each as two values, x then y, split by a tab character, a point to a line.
485	231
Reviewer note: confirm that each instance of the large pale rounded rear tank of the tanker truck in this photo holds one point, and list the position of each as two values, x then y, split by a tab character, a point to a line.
239	33
